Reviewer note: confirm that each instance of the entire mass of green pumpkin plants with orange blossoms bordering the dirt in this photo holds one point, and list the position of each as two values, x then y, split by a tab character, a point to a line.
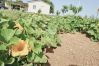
25	37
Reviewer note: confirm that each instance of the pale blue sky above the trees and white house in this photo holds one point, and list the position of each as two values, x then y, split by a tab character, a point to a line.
89	6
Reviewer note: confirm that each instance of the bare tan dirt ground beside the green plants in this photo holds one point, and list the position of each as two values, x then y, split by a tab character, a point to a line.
76	50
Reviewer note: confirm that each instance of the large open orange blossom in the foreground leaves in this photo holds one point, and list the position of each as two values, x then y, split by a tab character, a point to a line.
20	49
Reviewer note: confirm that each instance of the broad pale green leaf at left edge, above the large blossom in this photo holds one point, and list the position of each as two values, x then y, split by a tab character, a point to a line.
6	34
